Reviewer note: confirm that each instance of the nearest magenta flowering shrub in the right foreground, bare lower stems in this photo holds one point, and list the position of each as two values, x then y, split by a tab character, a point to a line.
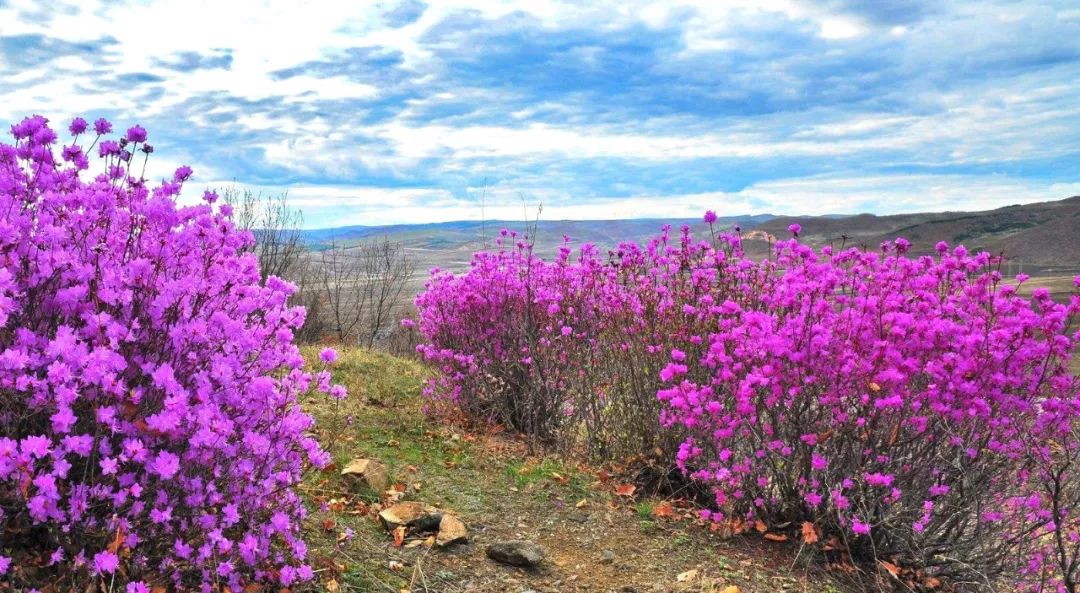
914	407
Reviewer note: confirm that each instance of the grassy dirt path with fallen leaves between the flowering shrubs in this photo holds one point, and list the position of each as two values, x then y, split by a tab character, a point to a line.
597	541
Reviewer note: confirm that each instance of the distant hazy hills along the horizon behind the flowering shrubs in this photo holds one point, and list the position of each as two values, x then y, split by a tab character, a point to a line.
1044	237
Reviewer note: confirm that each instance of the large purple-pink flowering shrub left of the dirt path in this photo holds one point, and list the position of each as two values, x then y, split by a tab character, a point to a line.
150	427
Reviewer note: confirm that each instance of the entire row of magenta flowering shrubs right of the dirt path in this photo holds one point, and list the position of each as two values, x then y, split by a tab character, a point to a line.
916	408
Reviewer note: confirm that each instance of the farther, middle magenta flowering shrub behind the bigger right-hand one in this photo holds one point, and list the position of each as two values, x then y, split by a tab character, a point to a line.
568	352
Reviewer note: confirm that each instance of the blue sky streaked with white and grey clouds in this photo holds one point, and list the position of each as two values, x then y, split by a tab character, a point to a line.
412	112
